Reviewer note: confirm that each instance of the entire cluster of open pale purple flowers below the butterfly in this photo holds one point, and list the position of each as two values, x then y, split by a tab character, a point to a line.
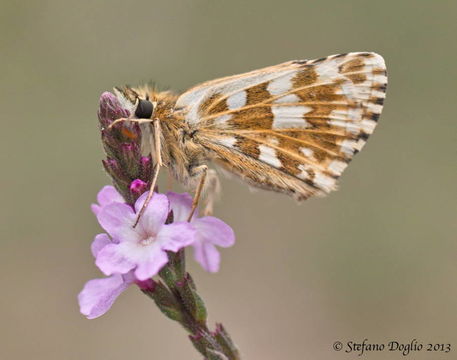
133	255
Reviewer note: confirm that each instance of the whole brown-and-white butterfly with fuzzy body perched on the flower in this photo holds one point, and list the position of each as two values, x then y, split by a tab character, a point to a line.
291	128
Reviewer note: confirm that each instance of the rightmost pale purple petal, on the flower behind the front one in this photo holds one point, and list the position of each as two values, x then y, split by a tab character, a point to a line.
214	231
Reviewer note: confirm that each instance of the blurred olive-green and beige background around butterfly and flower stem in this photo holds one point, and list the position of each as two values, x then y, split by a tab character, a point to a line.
375	260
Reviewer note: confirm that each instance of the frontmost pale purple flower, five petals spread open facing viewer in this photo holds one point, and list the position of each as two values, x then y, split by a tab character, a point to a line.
141	248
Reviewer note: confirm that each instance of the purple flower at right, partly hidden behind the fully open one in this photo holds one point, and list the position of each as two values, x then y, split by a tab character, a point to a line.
210	231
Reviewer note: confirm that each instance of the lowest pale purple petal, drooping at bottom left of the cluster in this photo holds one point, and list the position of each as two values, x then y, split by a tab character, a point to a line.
98	295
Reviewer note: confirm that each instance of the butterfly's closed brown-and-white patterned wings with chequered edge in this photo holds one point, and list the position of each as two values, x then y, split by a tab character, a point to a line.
292	127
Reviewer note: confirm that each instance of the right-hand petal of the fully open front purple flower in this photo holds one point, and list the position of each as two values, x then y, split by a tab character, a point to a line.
175	236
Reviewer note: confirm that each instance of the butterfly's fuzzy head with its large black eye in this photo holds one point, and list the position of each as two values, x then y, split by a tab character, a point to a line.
136	101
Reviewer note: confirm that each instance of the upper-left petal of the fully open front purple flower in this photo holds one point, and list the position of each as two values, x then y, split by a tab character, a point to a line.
118	219
